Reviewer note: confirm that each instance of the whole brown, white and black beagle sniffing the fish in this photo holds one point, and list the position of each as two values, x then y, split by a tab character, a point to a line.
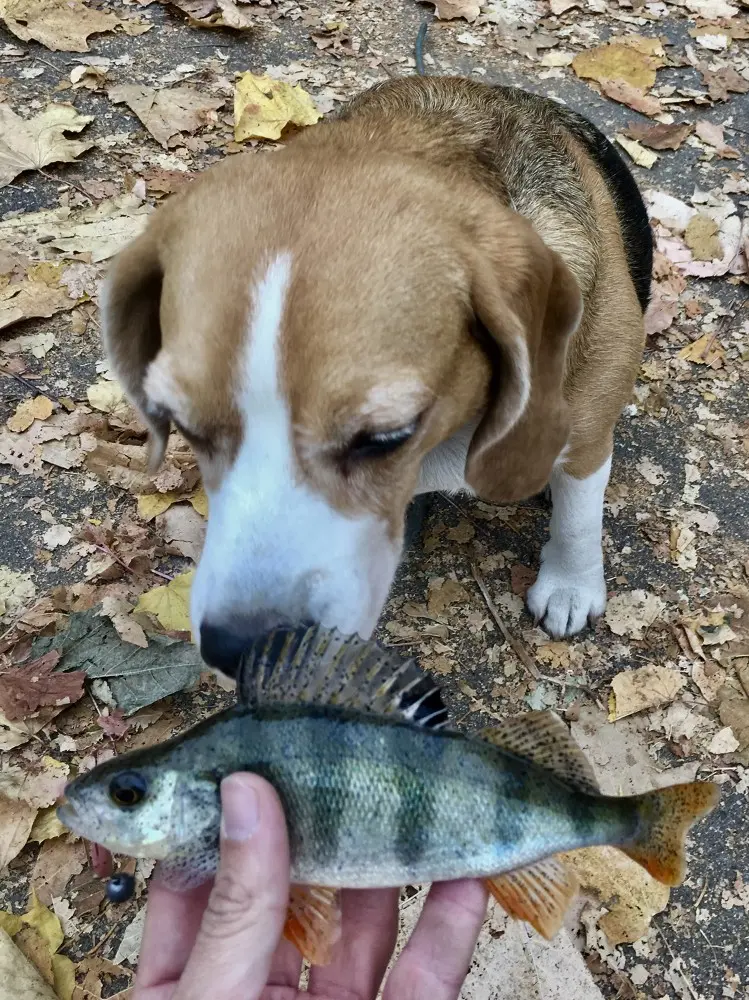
441	289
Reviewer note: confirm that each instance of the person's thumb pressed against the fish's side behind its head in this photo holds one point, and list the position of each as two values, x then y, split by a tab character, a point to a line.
246	910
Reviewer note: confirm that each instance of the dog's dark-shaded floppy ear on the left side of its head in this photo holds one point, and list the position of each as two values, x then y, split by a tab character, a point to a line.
130	306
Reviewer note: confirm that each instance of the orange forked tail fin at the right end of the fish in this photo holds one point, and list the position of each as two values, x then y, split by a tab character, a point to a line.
665	818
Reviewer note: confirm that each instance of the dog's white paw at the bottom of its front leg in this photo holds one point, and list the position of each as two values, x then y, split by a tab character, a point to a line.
563	600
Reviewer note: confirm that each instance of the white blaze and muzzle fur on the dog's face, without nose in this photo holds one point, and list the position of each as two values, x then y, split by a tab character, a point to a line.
273	544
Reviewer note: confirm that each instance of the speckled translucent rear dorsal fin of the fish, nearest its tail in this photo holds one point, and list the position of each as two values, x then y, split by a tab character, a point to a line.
543	738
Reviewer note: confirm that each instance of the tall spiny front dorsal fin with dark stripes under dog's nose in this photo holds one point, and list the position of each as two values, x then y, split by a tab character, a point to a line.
318	666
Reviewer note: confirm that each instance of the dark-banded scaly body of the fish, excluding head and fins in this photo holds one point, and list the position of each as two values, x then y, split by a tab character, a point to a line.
373	803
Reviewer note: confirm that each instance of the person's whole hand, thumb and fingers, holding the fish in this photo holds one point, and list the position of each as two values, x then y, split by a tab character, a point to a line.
223	941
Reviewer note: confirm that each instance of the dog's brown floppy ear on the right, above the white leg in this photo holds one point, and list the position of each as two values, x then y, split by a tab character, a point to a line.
527	304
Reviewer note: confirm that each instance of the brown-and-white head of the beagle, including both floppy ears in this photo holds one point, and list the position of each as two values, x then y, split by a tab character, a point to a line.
315	326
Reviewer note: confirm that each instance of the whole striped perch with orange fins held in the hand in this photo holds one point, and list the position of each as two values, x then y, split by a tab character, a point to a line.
377	790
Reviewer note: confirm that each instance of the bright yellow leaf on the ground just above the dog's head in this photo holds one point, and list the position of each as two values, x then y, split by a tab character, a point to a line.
263	107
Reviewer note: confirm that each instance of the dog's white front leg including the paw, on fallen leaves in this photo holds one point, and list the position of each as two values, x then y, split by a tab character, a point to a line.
571	589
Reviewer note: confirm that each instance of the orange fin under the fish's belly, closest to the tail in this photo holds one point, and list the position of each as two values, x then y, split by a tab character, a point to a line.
539	894
